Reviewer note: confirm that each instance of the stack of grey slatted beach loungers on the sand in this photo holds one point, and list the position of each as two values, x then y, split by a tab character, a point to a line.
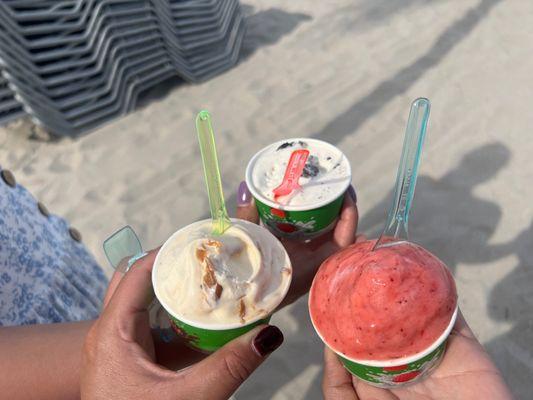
75	64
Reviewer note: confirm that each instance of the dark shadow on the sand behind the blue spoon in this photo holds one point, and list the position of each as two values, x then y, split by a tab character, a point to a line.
447	217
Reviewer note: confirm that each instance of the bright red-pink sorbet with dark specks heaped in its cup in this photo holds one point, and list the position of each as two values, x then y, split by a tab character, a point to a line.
385	304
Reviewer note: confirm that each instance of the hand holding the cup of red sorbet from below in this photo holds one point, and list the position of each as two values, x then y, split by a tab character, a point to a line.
466	372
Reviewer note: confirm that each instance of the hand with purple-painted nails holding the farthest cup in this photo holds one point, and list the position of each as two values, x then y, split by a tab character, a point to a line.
307	257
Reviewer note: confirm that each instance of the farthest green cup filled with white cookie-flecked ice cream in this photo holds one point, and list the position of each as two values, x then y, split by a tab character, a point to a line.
314	208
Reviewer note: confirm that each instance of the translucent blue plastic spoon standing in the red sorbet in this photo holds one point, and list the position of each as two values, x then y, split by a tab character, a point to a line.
397	220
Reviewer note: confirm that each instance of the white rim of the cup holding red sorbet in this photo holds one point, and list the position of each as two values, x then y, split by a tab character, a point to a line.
397	361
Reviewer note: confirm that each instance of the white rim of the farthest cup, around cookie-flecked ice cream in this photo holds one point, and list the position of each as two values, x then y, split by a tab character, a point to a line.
270	203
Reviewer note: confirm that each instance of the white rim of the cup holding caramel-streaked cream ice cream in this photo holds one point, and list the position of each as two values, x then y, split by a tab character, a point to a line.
217	327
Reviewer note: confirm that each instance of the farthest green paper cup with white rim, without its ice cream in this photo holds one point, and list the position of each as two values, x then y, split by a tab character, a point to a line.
297	221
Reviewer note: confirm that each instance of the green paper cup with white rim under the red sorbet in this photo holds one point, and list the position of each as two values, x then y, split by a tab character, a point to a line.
390	374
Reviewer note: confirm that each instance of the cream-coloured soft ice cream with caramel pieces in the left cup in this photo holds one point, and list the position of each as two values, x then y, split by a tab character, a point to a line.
235	278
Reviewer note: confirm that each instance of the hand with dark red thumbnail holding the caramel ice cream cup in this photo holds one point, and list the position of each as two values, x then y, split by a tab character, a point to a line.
118	360
